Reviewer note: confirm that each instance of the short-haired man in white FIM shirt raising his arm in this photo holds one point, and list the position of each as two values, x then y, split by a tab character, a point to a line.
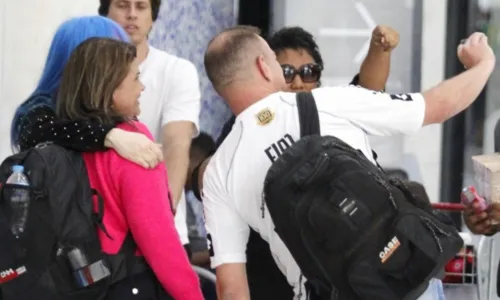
244	71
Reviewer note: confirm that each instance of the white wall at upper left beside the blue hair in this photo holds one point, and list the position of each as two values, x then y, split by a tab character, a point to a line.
26	29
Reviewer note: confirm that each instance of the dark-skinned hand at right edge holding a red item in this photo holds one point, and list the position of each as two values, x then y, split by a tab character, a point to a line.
480	222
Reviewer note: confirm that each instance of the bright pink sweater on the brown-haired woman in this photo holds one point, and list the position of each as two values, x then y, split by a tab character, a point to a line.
137	199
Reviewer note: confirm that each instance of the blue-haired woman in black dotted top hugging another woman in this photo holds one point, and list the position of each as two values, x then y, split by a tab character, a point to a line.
35	120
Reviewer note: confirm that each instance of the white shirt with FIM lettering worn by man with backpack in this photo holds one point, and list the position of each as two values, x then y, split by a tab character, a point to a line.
234	179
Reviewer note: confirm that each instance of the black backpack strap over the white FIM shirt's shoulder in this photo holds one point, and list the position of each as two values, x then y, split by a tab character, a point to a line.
308	114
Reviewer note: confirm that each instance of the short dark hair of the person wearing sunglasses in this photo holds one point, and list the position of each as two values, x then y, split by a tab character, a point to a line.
295	38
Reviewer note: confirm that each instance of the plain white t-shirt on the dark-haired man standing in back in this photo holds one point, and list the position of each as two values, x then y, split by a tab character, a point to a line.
172	93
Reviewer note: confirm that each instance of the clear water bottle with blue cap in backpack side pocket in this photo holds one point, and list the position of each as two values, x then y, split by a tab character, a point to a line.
19	199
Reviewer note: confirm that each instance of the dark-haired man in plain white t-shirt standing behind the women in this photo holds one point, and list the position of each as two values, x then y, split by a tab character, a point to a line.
170	103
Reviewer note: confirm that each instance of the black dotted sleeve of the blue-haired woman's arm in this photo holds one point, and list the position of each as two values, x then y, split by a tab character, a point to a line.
41	125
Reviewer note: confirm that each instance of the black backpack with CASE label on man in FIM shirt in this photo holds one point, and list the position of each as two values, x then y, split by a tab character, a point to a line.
355	233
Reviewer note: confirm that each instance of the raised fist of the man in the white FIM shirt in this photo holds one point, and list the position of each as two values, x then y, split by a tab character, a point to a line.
474	50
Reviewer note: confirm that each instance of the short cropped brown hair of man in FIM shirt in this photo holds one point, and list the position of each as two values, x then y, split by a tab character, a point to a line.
226	53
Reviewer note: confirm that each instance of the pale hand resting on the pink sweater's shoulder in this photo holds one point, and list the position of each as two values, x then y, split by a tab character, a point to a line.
135	147
